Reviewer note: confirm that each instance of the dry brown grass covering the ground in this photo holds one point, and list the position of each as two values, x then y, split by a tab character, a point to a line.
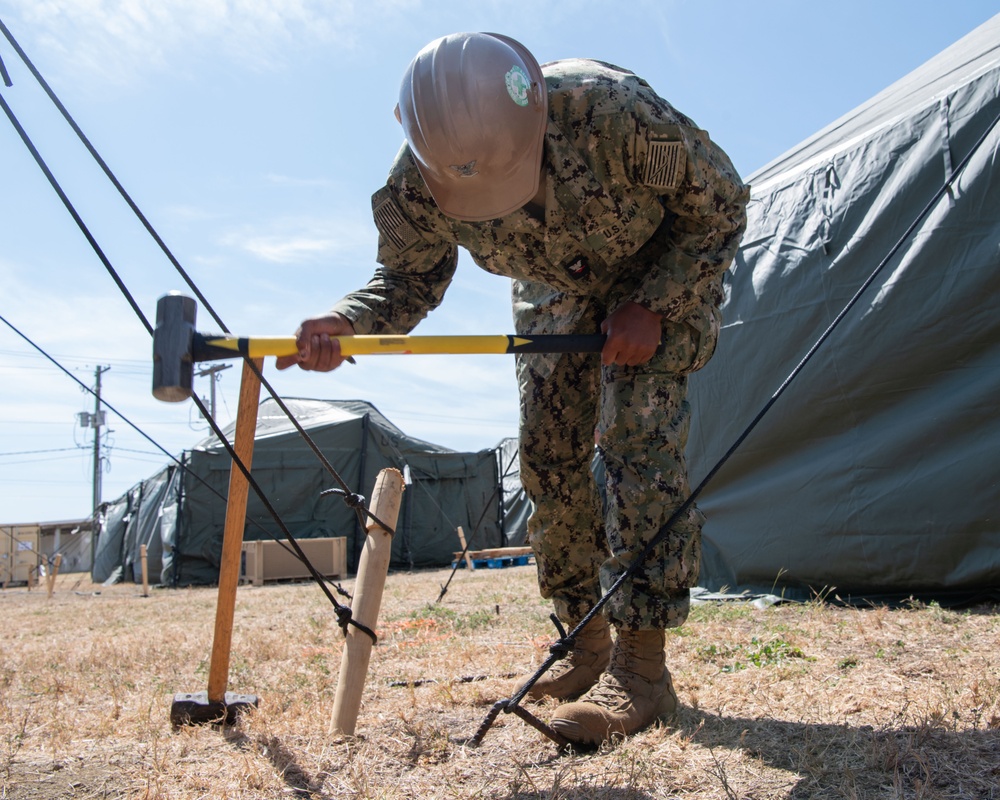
796	701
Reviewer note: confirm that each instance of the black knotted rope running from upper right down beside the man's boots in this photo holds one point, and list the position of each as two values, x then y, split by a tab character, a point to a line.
565	643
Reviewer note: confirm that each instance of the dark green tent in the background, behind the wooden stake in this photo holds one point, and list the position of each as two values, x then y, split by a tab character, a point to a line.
180	512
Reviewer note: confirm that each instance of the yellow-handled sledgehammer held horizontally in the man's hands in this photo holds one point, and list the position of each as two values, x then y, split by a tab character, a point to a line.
177	346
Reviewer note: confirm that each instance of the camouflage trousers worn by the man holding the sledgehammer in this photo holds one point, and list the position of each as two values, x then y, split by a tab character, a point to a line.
628	426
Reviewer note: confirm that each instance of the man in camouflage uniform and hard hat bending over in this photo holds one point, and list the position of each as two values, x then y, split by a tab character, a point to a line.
610	211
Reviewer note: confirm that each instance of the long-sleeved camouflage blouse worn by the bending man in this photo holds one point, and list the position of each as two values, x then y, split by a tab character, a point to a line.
636	197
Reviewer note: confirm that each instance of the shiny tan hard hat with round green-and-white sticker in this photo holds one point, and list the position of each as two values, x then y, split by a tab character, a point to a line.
474	107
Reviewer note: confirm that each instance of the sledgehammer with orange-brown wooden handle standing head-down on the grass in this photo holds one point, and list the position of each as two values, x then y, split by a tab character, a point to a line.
217	705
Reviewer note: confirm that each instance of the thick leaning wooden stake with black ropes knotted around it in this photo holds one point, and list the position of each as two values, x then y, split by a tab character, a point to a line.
372	570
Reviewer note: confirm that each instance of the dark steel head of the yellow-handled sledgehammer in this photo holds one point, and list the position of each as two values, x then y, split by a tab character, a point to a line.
173	363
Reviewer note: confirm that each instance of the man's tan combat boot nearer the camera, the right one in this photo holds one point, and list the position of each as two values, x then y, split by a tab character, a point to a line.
633	693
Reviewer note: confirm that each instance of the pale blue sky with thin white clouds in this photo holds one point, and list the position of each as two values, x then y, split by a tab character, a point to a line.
252	133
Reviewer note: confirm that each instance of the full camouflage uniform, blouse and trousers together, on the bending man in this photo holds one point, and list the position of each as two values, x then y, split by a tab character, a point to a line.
640	206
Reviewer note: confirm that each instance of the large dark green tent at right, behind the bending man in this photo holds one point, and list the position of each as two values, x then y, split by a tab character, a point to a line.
876	472
